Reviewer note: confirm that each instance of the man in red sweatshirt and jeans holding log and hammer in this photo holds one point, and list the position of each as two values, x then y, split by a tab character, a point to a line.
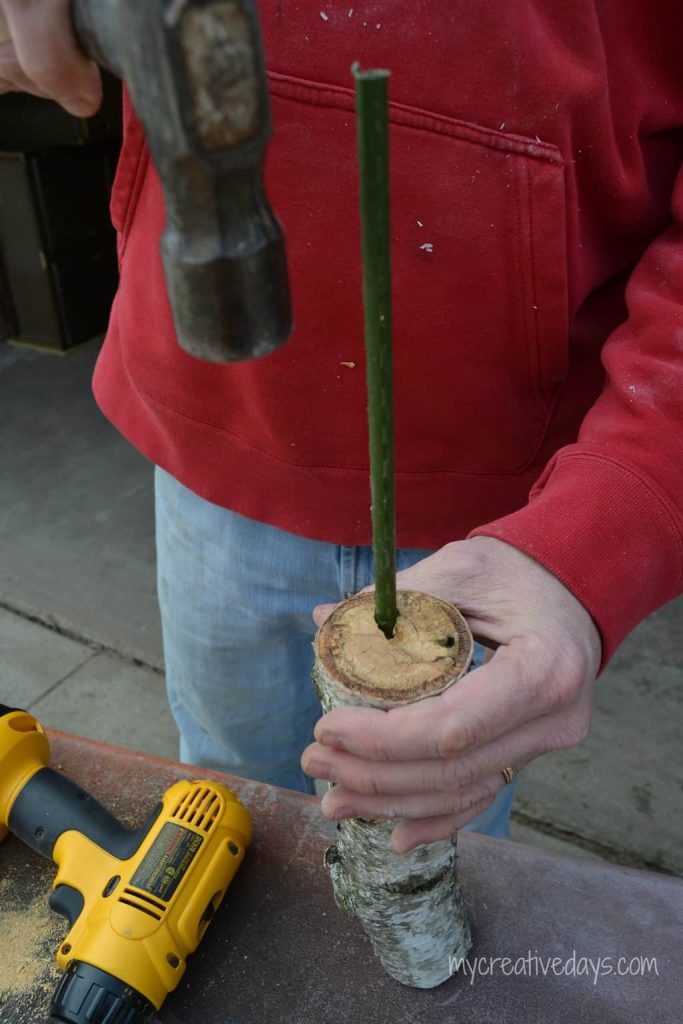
537	207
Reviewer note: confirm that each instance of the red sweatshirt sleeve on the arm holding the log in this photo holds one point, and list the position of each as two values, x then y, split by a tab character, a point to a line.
607	516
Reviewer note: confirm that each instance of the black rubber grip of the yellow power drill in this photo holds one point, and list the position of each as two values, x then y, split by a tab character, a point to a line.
51	804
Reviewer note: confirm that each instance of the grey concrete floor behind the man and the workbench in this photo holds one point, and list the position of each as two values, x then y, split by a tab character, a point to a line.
80	638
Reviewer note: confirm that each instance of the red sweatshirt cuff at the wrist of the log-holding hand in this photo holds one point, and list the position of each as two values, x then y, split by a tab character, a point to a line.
608	533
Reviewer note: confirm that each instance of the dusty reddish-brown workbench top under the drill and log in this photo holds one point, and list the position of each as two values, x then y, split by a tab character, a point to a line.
279	951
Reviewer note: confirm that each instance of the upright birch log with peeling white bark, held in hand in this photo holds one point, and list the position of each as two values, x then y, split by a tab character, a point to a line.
411	906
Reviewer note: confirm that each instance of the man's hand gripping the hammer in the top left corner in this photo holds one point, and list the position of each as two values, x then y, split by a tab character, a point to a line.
39	55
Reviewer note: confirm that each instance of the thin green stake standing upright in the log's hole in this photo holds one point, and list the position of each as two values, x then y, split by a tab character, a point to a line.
372	115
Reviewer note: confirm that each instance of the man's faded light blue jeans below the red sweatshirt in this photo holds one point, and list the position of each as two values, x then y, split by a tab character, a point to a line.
236	601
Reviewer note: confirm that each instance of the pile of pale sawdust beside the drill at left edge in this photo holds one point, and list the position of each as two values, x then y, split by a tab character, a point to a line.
30	936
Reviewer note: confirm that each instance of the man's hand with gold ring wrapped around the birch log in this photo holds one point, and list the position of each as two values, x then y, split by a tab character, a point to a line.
439	763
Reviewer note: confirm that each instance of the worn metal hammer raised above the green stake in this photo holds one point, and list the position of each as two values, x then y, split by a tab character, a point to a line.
196	75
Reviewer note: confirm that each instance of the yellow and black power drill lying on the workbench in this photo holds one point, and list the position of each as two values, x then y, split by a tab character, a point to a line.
138	902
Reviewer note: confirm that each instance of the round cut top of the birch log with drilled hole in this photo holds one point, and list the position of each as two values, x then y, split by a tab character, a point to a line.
432	648
